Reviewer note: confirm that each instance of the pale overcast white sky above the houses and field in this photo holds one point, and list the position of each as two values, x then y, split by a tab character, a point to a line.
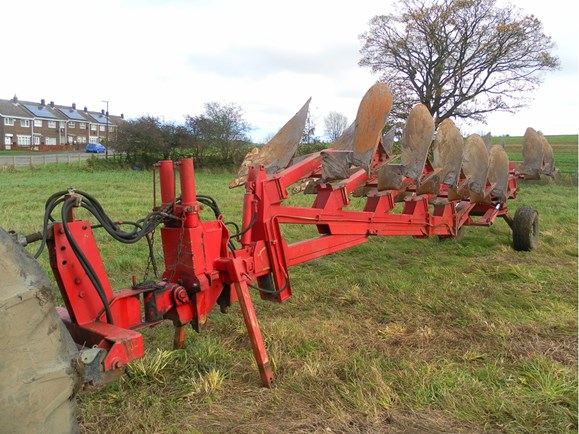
168	58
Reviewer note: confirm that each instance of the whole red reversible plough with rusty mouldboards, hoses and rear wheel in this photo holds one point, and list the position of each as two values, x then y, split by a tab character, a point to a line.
463	185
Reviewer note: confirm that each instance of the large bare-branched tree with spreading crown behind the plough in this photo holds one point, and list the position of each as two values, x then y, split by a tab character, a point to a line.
461	58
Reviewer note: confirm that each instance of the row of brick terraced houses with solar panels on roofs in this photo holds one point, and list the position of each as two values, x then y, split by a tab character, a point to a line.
41	126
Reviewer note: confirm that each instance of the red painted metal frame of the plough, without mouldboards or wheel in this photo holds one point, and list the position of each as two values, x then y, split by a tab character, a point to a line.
200	270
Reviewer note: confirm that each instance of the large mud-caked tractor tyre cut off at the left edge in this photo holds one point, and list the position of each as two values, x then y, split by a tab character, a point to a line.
37	380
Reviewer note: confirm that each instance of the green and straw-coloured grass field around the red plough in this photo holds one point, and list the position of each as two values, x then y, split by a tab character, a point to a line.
397	335
